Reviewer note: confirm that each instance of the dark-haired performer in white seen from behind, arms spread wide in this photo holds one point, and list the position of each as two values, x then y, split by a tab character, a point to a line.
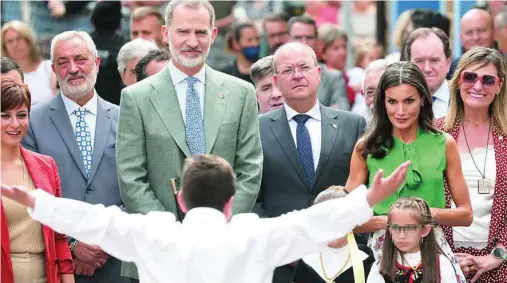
206	247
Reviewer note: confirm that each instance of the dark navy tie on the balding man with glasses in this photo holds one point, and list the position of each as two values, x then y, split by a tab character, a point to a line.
304	146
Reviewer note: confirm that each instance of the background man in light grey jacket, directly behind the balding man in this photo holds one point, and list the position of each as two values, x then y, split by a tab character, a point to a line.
332	88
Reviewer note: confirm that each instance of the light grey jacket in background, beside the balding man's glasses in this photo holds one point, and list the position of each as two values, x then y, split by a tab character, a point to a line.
332	89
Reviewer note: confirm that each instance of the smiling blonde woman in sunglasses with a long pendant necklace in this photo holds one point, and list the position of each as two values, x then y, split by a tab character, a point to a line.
477	120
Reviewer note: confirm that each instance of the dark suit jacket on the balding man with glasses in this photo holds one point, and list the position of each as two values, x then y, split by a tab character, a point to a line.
283	187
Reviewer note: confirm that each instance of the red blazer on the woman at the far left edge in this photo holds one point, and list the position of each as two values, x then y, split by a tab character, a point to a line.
44	174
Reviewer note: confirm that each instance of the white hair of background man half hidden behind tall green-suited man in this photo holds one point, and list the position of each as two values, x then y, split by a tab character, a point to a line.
136	48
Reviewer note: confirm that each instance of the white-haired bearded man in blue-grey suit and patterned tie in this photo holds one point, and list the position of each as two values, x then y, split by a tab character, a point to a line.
78	129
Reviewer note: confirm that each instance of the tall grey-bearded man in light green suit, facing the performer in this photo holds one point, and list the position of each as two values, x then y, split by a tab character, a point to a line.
186	109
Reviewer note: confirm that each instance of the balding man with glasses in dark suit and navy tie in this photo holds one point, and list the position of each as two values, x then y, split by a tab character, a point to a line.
310	145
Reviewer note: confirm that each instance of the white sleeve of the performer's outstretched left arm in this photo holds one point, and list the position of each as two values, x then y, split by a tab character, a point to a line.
114	231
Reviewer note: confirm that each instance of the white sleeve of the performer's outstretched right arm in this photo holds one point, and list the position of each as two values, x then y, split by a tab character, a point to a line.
294	235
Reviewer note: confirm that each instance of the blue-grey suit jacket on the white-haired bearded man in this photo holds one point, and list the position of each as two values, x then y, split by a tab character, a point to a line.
50	132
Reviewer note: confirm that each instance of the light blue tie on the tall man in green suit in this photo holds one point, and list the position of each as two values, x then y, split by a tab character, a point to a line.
194	128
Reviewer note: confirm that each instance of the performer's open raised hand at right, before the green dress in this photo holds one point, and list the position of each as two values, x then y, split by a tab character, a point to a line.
382	188
